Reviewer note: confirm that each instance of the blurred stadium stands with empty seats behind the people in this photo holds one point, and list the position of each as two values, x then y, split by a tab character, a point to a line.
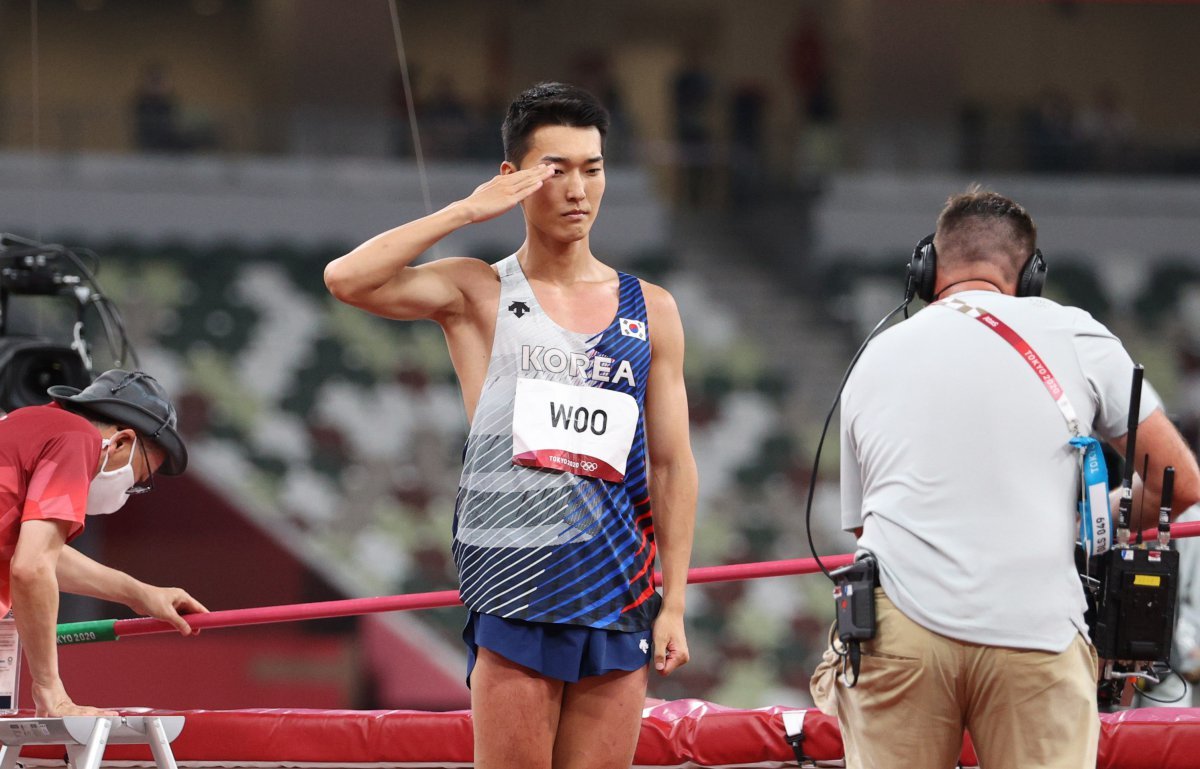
772	164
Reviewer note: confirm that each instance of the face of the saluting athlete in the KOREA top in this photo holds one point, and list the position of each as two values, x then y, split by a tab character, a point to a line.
568	203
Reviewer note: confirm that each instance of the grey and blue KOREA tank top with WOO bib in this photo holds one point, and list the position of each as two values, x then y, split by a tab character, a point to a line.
553	521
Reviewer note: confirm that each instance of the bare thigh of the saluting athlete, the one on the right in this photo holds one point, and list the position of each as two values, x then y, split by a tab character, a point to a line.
601	722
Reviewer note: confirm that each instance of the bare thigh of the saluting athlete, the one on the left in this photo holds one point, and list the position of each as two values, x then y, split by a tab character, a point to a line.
514	713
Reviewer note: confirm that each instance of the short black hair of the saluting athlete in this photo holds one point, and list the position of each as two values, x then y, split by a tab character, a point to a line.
550	105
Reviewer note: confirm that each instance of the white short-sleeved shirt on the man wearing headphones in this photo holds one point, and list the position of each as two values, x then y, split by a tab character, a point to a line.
956	462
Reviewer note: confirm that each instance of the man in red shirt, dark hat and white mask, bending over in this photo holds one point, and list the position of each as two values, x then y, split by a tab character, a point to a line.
82	455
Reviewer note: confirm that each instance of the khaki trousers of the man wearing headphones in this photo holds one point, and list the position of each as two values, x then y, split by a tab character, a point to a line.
919	690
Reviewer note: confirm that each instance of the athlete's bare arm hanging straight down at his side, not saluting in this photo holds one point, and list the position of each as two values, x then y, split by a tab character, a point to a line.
673	473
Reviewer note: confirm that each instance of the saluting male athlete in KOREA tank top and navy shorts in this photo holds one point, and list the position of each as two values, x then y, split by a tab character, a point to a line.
572	375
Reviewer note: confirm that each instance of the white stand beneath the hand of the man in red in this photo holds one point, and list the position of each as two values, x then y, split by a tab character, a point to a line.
86	737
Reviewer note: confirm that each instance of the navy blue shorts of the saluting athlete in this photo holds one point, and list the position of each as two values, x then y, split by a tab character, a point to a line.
567	653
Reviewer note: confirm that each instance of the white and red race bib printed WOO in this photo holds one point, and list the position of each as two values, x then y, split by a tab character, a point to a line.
573	429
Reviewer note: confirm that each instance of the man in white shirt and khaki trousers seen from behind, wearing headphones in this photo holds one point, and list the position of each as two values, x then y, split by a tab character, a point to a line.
958	477
